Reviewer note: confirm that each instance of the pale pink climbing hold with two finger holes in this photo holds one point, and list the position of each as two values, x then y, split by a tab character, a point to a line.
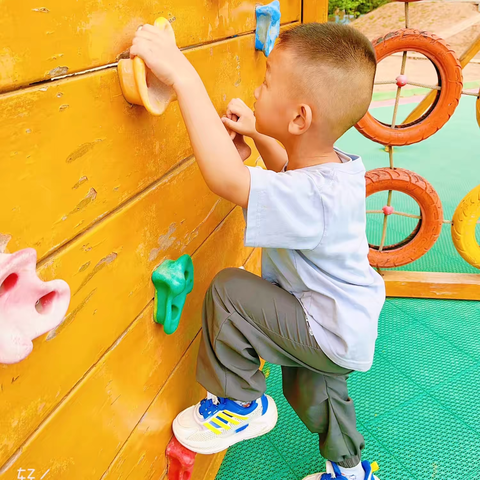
29	307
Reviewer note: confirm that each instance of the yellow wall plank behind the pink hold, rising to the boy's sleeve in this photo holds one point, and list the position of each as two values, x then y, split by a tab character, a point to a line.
108	270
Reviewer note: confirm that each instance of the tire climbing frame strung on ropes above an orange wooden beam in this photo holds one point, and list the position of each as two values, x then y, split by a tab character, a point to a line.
427	118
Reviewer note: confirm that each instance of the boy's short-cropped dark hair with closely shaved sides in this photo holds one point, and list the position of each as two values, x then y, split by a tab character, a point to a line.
336	66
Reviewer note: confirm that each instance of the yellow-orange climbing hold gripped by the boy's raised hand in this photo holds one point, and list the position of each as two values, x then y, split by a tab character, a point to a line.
140	86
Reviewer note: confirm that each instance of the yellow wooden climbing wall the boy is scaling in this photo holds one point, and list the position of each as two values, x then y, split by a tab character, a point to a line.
105	192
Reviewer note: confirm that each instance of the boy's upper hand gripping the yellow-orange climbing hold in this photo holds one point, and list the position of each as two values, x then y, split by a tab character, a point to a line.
158	49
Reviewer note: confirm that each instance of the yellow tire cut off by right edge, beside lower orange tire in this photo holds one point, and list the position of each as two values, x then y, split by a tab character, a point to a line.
464	223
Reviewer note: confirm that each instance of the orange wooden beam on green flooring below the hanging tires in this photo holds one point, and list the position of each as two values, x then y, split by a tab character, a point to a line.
459	286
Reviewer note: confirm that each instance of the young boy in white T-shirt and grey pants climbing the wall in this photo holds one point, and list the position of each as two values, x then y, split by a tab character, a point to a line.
315	311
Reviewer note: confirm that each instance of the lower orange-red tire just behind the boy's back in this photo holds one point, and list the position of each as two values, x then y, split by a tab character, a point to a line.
429	227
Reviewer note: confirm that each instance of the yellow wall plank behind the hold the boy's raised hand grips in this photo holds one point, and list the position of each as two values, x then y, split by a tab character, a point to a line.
64	168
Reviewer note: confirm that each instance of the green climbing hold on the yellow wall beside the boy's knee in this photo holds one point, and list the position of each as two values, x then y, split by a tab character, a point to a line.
173	281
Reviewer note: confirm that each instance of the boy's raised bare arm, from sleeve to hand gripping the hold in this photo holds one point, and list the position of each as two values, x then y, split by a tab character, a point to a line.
218	159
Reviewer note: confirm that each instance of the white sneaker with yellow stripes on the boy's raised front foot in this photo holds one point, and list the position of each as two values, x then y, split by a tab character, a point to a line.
215	424
